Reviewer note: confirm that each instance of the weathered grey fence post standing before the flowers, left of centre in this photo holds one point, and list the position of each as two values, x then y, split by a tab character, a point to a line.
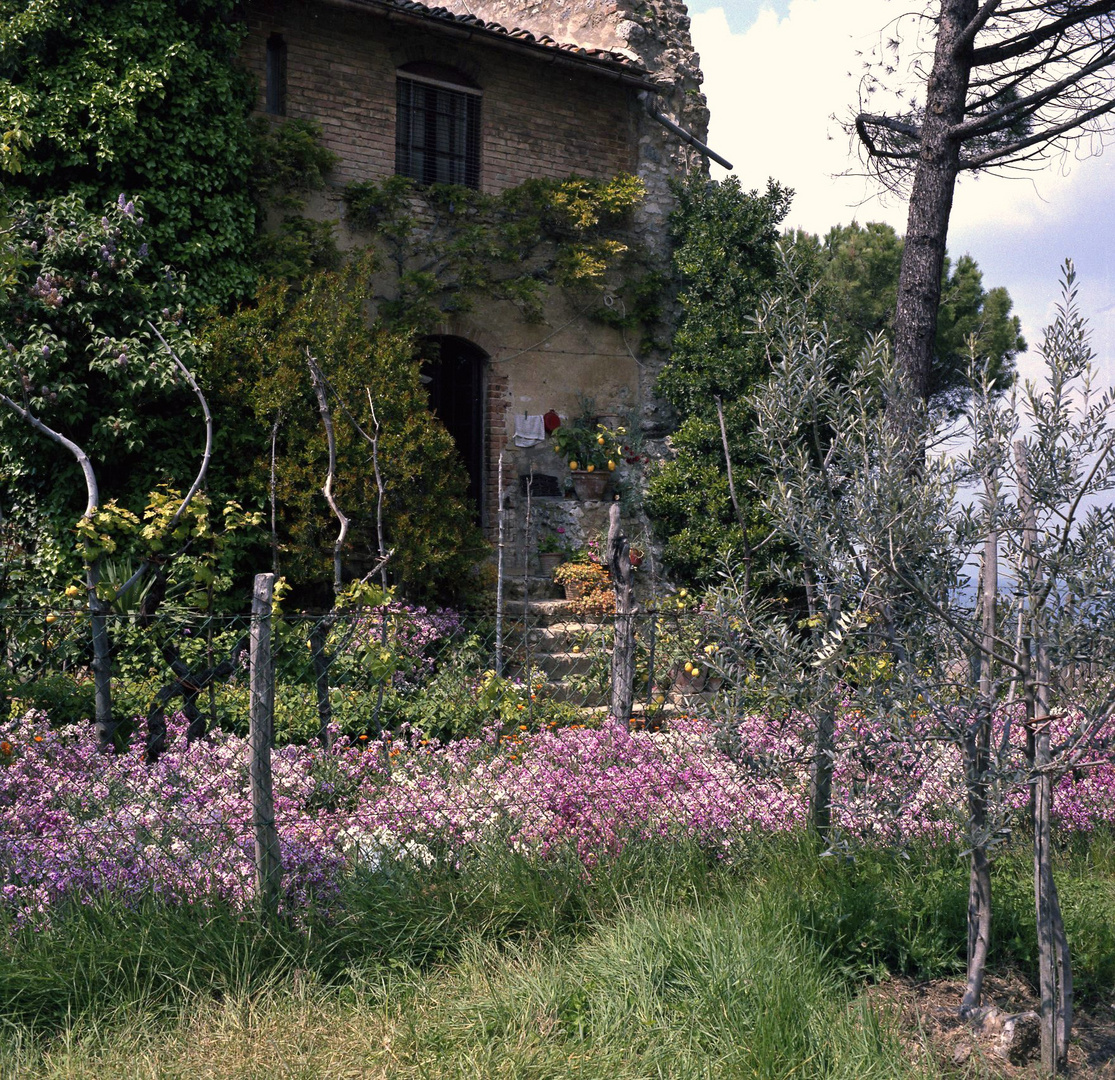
268	860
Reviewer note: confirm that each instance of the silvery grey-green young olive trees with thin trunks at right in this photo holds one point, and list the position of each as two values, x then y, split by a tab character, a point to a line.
958	598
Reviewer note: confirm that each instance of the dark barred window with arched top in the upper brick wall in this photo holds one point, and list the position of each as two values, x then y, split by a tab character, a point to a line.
438	125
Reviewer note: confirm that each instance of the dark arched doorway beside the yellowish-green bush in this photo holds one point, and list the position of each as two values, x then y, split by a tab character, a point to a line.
454	374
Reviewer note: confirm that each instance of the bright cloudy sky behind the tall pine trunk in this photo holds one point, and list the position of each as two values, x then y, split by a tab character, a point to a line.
780	75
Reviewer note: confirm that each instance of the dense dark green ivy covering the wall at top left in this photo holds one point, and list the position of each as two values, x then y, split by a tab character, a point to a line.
144	98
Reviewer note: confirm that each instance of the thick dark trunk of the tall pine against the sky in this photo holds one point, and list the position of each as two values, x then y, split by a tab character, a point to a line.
935	181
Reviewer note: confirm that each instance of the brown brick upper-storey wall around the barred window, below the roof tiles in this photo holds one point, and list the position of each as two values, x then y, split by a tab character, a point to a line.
538	120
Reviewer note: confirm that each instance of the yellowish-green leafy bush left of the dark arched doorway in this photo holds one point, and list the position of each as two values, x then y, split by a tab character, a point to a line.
257	366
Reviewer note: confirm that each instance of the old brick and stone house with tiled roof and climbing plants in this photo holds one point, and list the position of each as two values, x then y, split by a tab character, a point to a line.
490	94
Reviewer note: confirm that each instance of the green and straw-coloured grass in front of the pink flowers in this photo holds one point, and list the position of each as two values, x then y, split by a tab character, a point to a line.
663	965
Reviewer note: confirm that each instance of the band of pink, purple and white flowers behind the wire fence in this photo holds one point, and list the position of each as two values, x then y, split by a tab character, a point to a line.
76	824
